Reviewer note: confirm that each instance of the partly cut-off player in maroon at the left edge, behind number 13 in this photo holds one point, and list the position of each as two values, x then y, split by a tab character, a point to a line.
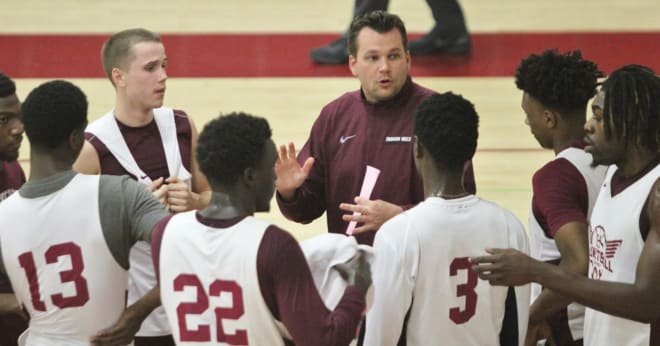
11	179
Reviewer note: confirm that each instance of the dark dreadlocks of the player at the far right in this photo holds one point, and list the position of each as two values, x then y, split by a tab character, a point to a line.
632	106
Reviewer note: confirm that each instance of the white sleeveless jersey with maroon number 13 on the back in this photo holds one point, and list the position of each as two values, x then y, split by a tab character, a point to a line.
69	288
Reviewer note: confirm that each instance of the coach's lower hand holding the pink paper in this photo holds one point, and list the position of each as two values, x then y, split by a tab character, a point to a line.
370	214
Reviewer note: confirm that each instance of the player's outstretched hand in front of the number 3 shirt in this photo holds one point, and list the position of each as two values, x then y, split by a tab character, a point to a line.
504	267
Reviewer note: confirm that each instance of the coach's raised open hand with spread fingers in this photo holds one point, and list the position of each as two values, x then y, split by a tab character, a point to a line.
290	175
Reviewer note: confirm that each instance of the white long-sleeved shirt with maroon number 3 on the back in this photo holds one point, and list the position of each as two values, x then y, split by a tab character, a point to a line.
422	272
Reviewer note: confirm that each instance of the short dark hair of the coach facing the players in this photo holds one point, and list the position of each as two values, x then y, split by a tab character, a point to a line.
379	21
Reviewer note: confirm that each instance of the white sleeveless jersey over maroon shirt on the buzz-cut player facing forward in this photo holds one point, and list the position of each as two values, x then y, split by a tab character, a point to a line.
142	277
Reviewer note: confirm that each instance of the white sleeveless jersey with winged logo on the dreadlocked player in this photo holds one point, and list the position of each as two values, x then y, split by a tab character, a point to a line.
615	244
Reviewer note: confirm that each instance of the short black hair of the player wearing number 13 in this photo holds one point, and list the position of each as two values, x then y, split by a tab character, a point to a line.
52	111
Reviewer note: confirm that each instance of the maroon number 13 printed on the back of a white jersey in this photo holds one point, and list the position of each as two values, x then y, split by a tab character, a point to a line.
26	260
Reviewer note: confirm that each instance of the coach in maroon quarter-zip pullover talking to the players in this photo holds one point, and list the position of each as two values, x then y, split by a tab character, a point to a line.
373	127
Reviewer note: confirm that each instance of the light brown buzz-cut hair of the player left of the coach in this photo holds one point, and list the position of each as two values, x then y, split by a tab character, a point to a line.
118	49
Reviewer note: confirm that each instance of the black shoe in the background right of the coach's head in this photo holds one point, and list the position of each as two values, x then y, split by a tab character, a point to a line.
433	44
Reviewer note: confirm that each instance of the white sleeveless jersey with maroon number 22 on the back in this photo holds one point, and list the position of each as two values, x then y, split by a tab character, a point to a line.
209	283
